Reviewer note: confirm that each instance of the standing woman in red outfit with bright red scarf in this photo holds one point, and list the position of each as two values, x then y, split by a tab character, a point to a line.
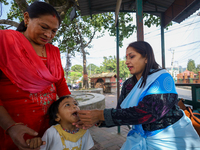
31	76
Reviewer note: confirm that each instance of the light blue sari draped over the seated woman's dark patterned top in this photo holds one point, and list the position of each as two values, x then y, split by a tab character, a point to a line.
180	135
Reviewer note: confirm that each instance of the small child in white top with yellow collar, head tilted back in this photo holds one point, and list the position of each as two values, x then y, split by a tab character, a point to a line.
62	135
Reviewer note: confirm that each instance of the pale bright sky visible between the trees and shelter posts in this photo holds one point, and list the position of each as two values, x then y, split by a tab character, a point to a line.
181	38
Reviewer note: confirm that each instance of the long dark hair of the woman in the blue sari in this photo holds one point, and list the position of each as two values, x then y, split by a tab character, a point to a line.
145	50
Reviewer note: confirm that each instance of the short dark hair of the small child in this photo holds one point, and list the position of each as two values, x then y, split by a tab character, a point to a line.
53	110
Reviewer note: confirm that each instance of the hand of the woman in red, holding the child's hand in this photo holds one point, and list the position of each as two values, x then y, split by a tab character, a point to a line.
17	134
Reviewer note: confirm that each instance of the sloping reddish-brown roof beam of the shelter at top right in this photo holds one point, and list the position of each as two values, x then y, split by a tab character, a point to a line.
176	9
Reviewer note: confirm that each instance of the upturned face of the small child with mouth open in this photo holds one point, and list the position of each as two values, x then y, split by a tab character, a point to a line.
67	111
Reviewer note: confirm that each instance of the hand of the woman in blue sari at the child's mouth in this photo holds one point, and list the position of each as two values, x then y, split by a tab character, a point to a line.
90	117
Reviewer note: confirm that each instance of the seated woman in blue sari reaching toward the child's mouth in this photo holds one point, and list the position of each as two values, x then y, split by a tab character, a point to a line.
148	102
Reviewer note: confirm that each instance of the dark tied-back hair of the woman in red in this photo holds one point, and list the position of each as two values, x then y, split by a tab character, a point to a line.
37	9
